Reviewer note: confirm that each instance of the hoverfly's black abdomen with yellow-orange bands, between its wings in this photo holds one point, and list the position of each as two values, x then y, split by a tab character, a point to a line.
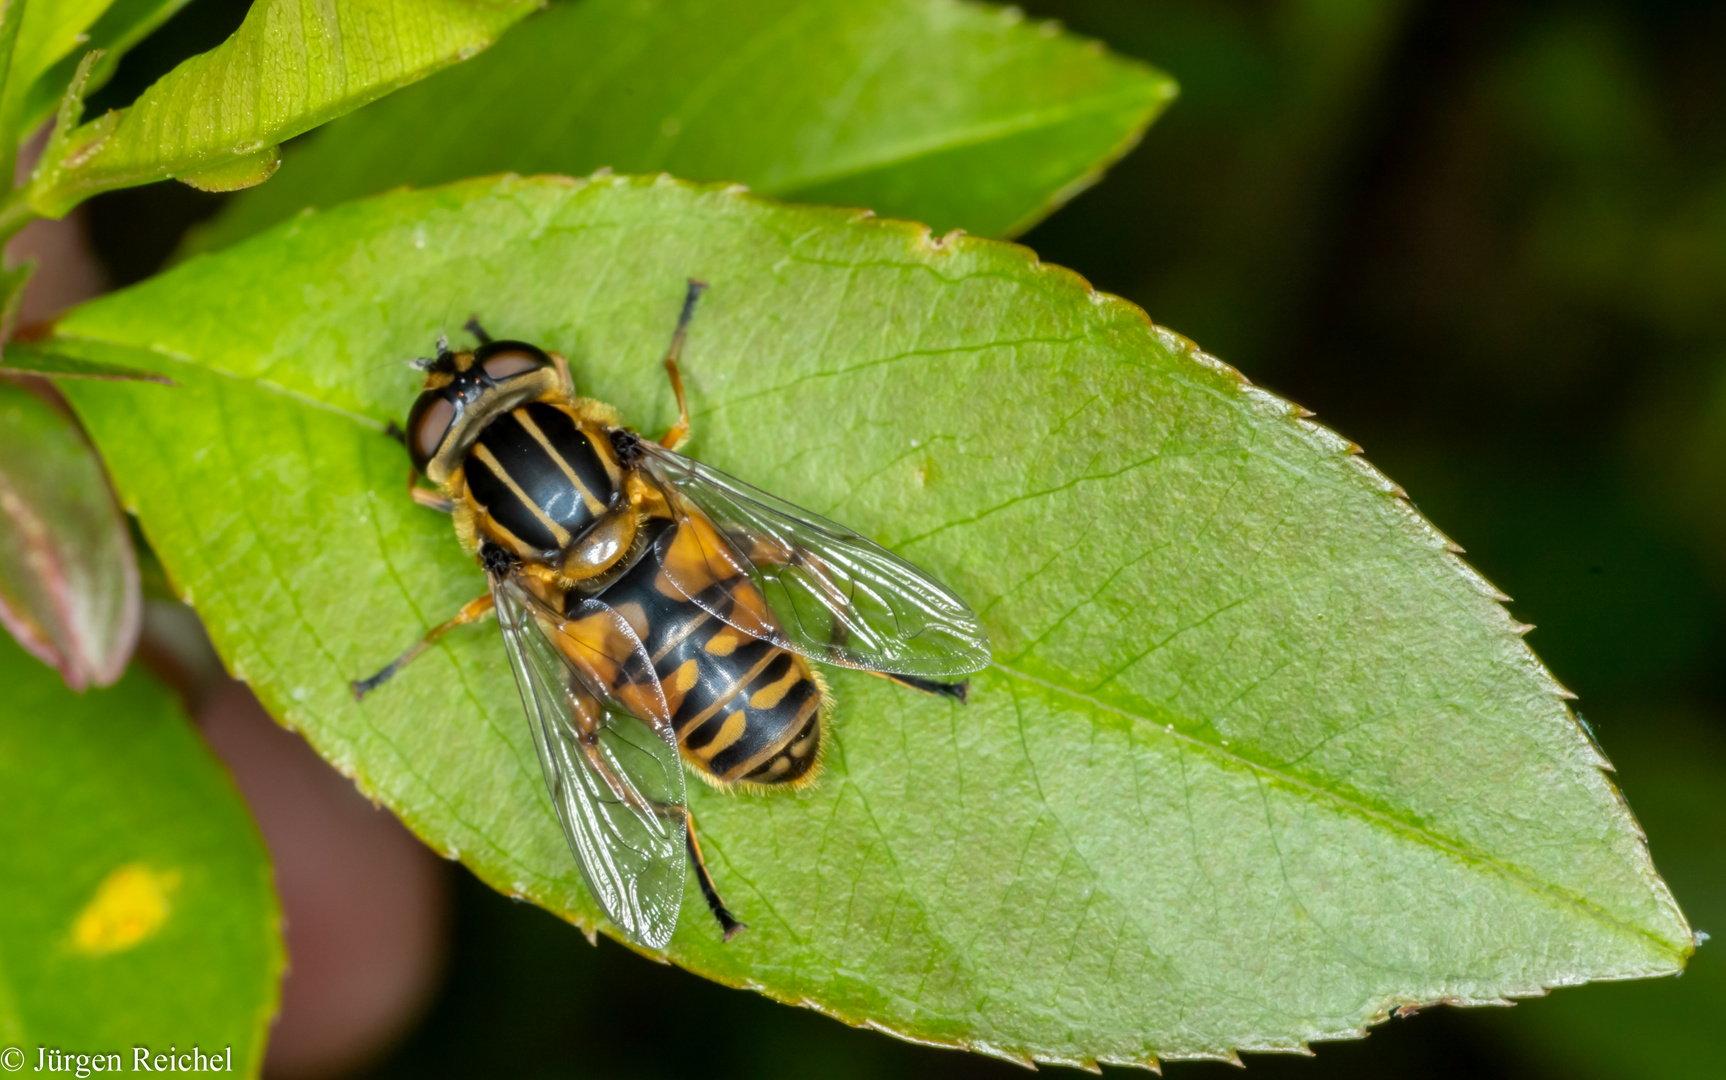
745	710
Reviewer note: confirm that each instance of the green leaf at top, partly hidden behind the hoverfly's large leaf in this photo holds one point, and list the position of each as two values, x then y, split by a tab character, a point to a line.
955	115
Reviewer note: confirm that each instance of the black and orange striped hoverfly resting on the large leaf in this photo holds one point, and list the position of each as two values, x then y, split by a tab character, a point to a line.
655	610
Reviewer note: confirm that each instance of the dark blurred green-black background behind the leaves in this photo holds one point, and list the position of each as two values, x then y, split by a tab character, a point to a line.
1483	241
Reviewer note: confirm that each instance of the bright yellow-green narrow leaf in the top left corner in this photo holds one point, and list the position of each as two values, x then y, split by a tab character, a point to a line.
291	66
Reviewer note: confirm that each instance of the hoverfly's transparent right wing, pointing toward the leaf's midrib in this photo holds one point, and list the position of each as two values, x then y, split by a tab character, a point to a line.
838	598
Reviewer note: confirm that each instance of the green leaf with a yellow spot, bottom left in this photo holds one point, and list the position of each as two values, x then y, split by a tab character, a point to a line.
135	896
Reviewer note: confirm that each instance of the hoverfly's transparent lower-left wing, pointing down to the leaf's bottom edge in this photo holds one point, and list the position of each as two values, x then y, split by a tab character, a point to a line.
612	791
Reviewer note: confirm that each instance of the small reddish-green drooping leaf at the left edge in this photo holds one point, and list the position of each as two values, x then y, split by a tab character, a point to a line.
68	575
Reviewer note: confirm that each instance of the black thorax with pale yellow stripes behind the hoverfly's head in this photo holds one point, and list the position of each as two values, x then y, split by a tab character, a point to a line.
539	477
